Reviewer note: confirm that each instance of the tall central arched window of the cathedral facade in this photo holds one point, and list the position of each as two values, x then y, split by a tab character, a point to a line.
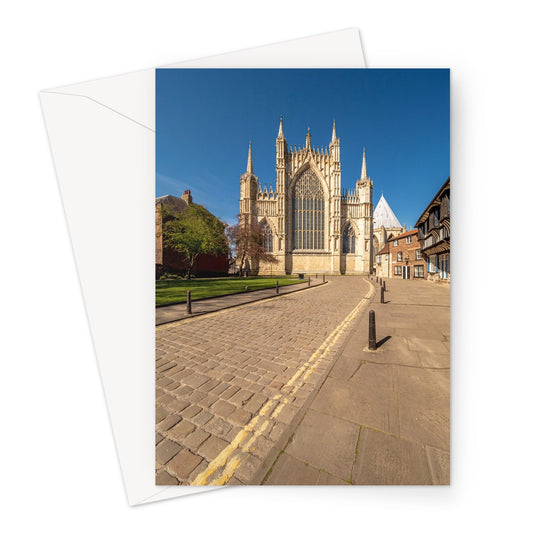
308	213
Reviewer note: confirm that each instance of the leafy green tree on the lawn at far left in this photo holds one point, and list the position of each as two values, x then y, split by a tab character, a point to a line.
192	232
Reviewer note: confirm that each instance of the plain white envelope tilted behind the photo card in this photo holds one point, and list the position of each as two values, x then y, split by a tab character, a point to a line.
102	137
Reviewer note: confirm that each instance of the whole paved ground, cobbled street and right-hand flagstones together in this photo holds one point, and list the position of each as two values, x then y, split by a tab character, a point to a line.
284	391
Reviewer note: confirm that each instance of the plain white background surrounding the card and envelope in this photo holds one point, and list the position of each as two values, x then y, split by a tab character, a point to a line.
59	468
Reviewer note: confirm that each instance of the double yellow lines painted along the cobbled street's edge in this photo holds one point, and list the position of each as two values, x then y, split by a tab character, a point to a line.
223	467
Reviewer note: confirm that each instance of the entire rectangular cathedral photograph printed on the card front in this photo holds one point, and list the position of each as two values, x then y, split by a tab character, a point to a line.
302	291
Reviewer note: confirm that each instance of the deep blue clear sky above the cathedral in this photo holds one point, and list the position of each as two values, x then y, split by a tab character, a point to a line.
206	117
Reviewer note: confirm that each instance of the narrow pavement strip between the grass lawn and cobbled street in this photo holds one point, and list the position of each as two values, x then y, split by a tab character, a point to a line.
171	313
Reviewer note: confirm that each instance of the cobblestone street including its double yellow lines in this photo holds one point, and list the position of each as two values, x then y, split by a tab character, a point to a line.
229	385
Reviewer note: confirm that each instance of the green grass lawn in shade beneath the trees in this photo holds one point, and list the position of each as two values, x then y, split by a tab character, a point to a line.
175	290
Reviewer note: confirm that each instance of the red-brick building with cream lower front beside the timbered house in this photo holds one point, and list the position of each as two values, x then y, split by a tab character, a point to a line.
401	257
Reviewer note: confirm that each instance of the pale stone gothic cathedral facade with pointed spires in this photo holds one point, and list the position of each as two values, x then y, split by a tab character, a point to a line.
309	224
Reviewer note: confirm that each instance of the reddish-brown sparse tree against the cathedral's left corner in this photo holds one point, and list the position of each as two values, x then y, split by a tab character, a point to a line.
246	242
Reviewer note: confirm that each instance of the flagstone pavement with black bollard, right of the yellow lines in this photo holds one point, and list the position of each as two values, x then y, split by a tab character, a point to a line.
381	418
